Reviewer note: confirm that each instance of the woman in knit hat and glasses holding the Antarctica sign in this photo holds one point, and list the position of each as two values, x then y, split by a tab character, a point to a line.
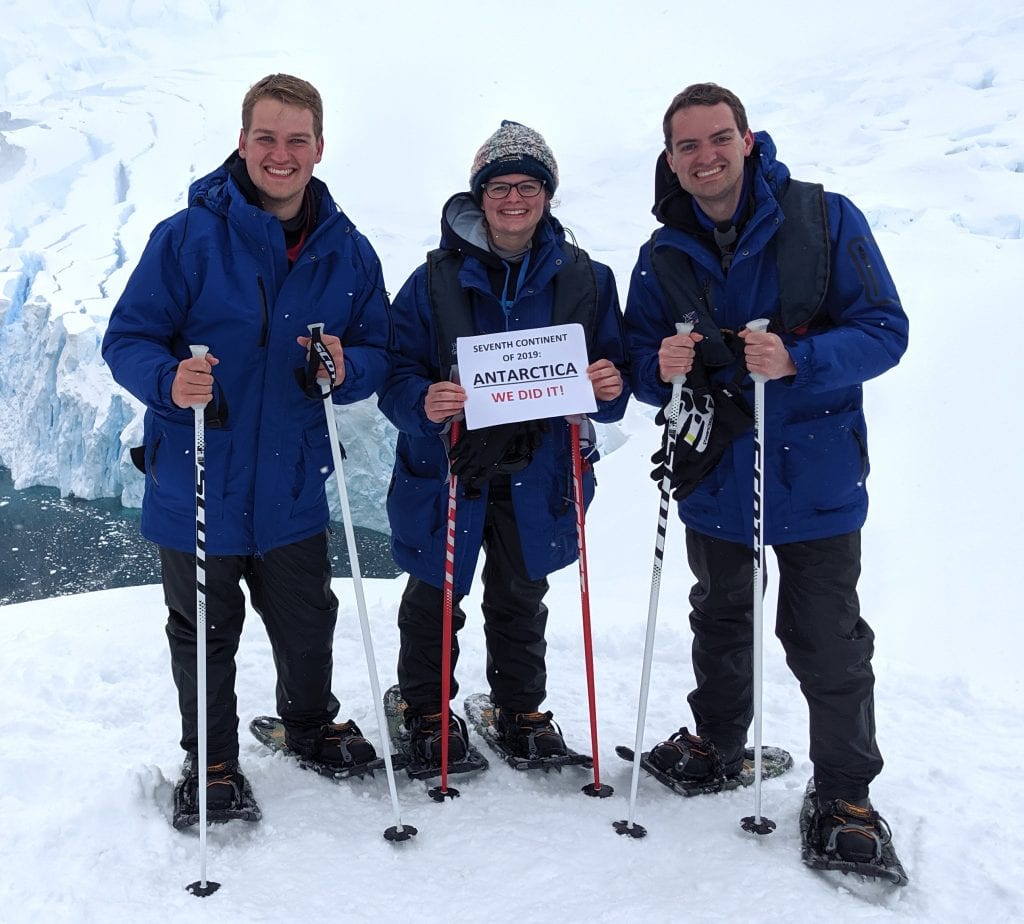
504	265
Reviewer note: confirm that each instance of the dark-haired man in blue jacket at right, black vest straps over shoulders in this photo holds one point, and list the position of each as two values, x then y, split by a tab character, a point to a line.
743	241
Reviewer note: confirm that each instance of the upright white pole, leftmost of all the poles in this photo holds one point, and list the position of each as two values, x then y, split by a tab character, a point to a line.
202	888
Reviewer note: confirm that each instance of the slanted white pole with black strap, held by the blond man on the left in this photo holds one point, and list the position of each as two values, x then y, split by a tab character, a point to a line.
399	832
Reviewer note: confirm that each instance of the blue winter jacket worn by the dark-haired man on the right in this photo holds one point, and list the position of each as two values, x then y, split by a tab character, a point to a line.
816	454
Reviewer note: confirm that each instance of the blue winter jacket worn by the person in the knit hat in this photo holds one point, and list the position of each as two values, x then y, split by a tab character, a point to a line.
542	494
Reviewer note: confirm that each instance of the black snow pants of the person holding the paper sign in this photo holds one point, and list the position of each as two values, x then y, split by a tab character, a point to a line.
515	622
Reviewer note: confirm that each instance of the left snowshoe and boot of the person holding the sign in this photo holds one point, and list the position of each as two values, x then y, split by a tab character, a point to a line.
418	741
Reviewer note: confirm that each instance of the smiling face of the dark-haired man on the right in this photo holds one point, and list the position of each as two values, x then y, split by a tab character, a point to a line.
707	154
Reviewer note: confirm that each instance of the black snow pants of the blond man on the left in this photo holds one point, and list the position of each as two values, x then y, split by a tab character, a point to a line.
290	589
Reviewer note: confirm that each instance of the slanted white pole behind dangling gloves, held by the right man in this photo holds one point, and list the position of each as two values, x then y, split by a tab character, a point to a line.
628	826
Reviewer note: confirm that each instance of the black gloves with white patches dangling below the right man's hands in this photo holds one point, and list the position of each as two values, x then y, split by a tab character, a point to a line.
713	419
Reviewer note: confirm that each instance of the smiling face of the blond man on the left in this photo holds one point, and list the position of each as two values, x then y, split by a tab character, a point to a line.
281	151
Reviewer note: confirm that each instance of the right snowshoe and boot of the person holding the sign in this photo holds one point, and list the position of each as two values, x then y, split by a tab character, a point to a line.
525	741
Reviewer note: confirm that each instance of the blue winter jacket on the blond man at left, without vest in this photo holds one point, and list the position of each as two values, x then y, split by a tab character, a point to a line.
218	274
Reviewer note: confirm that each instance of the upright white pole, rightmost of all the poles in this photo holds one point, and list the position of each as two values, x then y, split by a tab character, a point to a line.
756	824
